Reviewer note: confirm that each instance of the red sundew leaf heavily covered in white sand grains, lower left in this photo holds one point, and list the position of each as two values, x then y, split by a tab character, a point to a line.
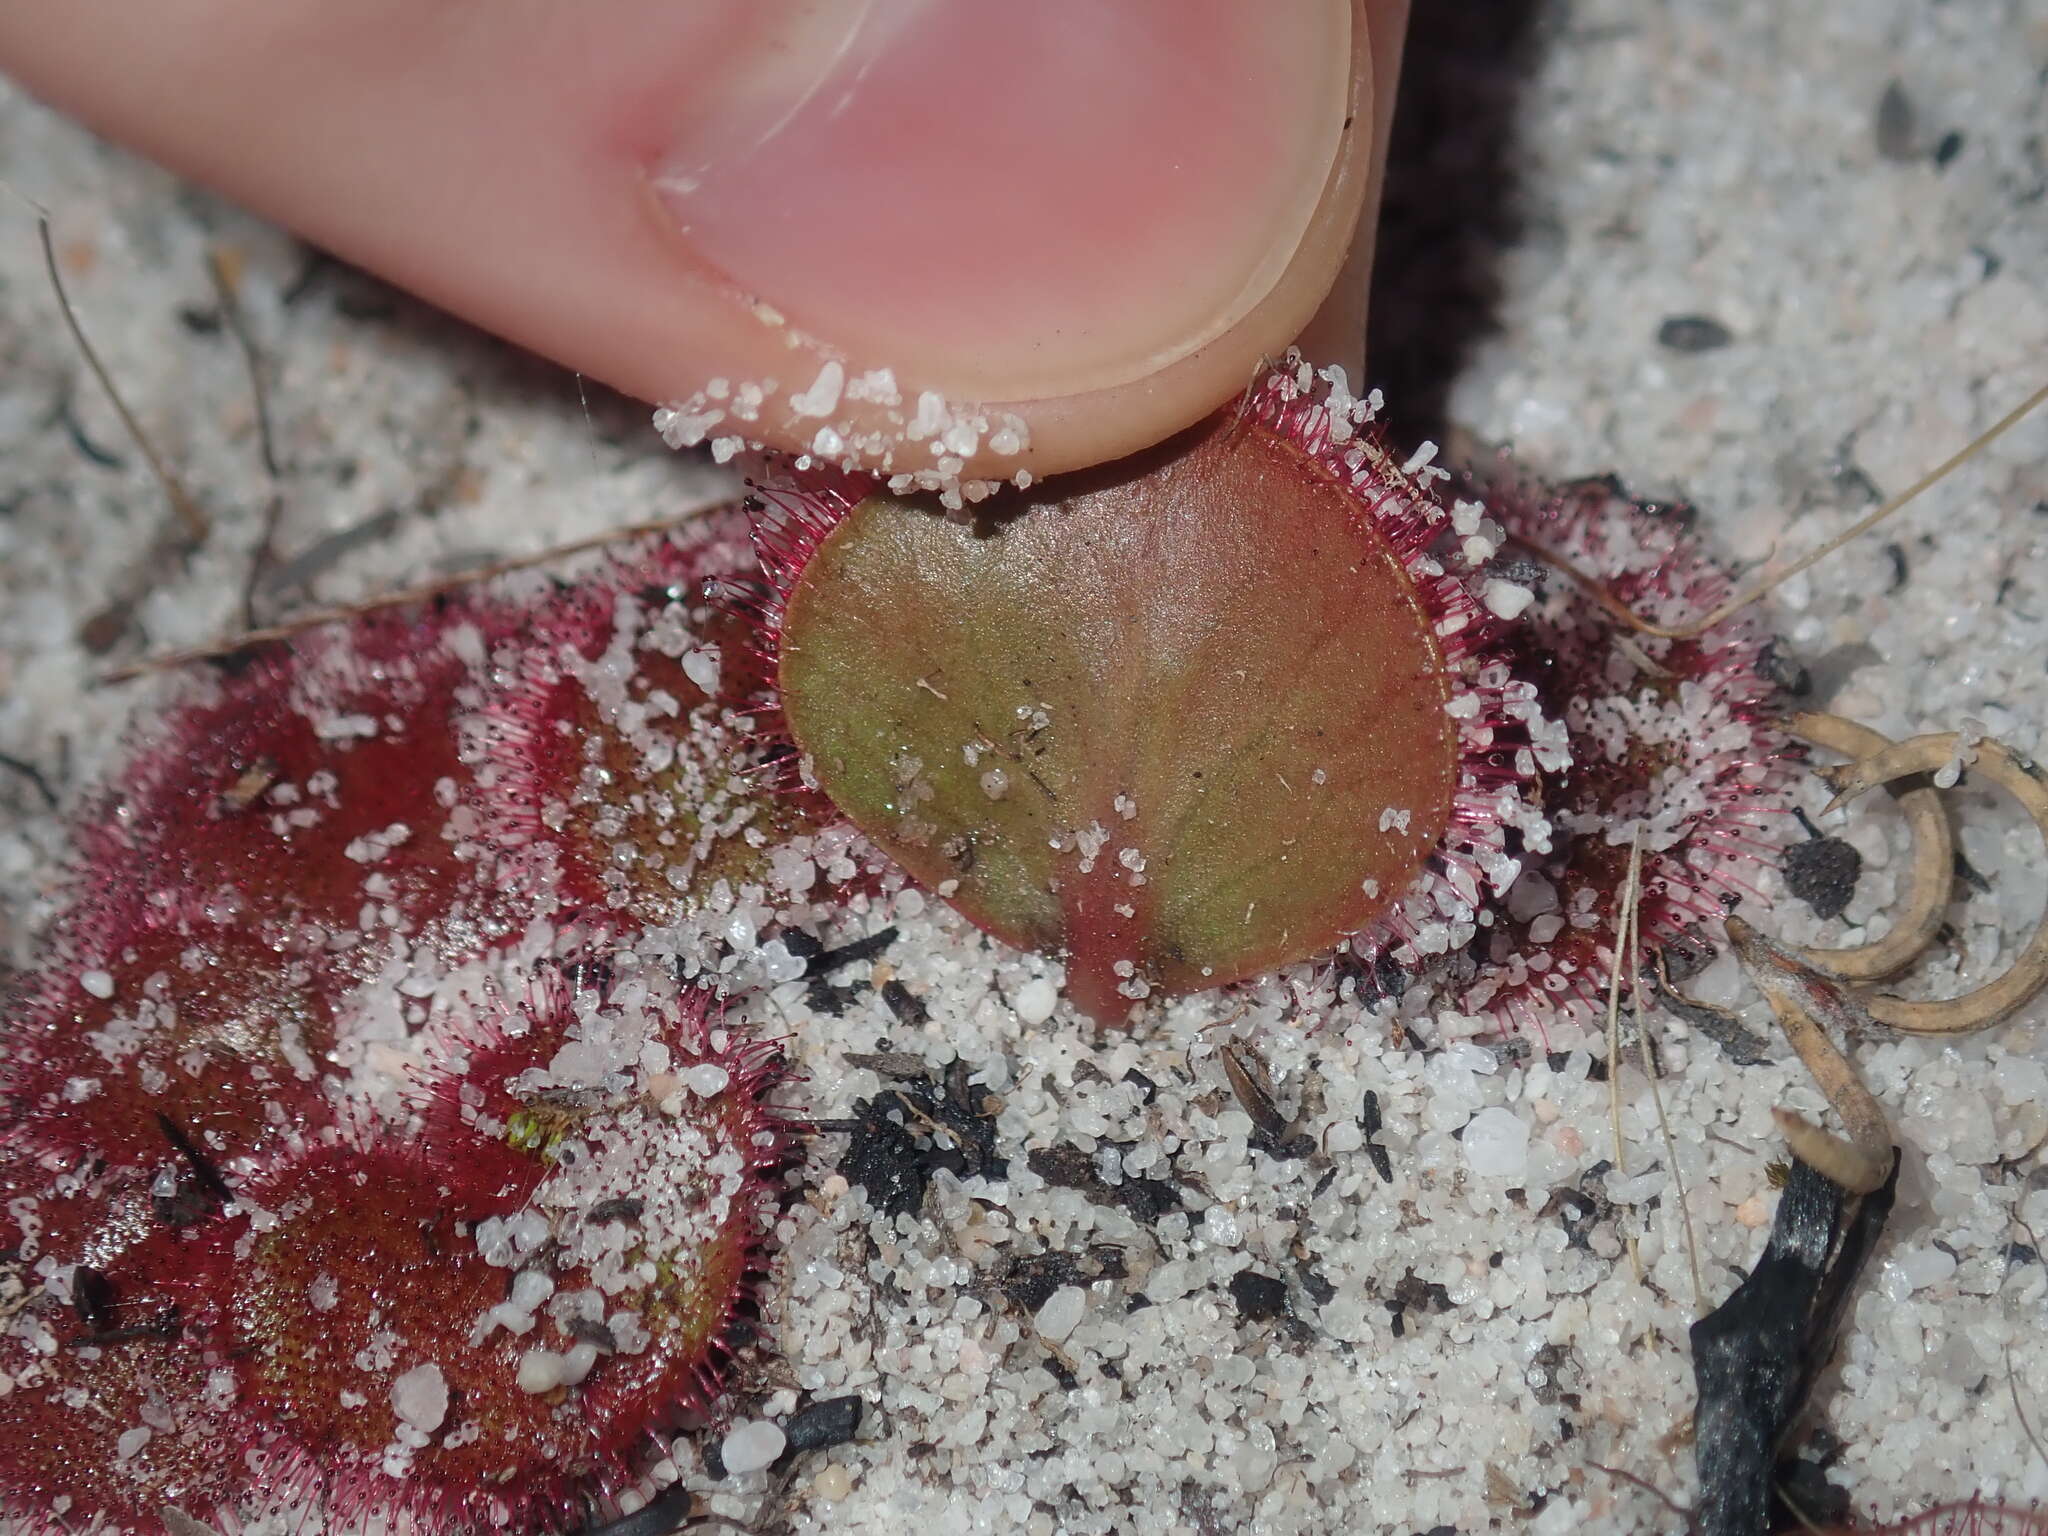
646	1115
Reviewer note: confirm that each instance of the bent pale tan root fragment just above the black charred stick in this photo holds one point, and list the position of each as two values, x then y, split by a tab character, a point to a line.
1807	1005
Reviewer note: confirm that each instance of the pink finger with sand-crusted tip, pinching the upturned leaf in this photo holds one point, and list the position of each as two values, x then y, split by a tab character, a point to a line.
1091	218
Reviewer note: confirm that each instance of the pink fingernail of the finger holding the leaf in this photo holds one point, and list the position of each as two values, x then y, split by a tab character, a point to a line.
1015	202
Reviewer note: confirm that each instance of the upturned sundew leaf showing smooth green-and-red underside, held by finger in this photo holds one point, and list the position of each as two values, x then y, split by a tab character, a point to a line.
1181	724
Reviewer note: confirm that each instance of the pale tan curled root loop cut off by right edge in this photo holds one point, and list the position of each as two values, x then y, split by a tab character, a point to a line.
2020	779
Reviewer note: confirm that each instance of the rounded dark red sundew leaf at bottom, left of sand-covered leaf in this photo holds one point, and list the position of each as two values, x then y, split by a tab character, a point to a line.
368	1275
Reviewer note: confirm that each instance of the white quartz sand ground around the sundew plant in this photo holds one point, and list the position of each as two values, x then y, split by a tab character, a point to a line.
1449	1359
